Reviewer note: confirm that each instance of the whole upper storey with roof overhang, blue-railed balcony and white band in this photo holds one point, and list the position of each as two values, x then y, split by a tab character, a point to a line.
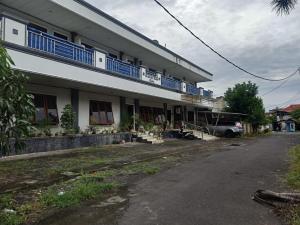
73	33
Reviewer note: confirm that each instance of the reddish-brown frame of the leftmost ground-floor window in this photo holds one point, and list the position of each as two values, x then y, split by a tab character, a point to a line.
46	108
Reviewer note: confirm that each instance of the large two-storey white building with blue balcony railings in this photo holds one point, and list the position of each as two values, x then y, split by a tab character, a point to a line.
76	54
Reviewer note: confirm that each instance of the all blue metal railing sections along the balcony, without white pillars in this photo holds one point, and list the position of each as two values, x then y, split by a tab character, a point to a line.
48	43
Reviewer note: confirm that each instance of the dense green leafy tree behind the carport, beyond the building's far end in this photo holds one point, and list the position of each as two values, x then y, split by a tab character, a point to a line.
243	99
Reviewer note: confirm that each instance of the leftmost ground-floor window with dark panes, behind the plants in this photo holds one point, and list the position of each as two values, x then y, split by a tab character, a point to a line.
46	109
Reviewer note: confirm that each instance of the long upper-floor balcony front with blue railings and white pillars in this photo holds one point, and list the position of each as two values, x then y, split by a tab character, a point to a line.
44	42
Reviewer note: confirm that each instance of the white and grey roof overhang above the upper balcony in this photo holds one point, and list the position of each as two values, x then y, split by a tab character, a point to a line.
80	17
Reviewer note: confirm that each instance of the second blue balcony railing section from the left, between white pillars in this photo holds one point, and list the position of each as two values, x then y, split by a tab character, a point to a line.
122	68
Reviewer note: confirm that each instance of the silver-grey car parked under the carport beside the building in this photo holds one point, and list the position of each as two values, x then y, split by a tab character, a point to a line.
225	130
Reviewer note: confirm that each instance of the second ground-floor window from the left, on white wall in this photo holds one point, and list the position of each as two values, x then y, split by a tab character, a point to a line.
101	113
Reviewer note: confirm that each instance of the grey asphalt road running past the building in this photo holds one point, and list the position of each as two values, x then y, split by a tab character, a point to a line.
215	190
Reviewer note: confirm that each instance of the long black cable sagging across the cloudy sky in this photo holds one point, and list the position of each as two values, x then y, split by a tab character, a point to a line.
215	51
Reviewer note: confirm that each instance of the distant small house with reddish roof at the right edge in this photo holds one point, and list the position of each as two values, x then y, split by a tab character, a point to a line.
284	121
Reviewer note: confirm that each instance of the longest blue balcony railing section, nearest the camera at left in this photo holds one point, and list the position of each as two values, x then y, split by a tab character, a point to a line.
56	46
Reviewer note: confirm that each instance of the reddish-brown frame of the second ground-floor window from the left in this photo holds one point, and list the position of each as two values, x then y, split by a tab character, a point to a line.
108	109
